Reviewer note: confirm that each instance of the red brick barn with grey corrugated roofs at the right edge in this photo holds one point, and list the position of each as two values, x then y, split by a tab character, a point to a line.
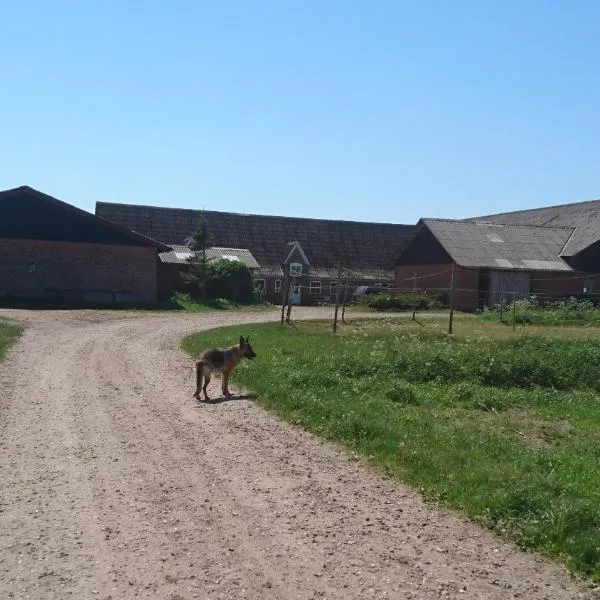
551	252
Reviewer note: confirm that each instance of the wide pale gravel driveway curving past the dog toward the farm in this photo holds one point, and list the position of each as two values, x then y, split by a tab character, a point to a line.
116	484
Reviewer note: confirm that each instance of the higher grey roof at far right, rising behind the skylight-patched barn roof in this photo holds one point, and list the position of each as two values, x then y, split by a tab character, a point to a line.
584	217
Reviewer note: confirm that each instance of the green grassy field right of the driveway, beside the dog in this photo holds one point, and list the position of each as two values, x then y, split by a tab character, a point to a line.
502	426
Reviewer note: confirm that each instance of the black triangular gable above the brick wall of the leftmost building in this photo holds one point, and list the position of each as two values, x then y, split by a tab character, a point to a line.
26	213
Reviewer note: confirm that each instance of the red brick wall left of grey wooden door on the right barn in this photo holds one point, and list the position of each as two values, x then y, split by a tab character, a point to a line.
436	279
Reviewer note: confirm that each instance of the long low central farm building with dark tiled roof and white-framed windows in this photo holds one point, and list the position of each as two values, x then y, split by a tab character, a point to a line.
308	249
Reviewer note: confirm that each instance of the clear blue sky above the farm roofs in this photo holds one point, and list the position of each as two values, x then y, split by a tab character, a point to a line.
375	111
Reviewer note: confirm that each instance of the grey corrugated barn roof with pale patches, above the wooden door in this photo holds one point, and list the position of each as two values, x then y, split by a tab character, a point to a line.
477	244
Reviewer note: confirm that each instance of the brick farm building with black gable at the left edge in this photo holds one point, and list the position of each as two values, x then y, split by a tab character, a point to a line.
52	251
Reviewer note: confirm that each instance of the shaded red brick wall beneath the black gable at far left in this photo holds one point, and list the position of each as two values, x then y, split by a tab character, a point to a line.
77	267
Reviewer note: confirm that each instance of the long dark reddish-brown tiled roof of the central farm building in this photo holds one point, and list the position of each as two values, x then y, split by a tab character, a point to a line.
359	245
